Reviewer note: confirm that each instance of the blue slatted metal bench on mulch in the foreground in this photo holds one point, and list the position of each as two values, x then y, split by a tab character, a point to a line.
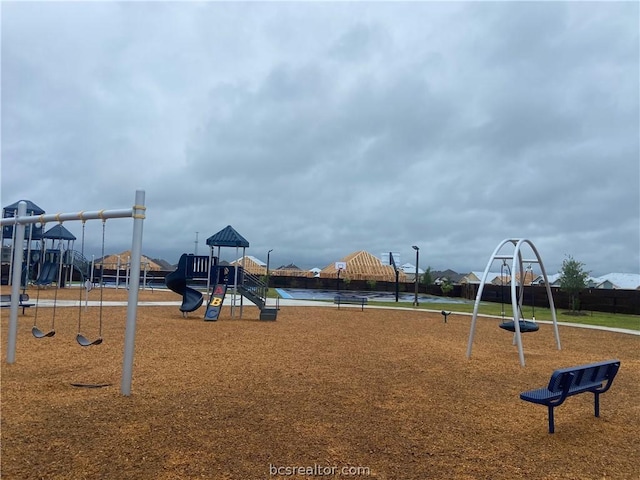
595	378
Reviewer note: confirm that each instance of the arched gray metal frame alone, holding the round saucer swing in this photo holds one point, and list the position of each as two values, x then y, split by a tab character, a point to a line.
517	265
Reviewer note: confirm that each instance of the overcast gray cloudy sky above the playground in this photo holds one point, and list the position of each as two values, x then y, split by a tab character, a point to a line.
319	129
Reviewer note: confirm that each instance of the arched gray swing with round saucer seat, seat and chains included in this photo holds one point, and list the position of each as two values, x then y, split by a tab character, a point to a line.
517	274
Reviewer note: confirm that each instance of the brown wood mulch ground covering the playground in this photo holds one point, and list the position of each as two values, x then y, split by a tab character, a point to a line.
386	394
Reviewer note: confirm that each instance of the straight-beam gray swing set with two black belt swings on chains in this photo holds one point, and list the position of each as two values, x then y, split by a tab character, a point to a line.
20	220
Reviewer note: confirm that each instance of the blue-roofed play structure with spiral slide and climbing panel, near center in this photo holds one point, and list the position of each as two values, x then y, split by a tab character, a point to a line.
219	280
